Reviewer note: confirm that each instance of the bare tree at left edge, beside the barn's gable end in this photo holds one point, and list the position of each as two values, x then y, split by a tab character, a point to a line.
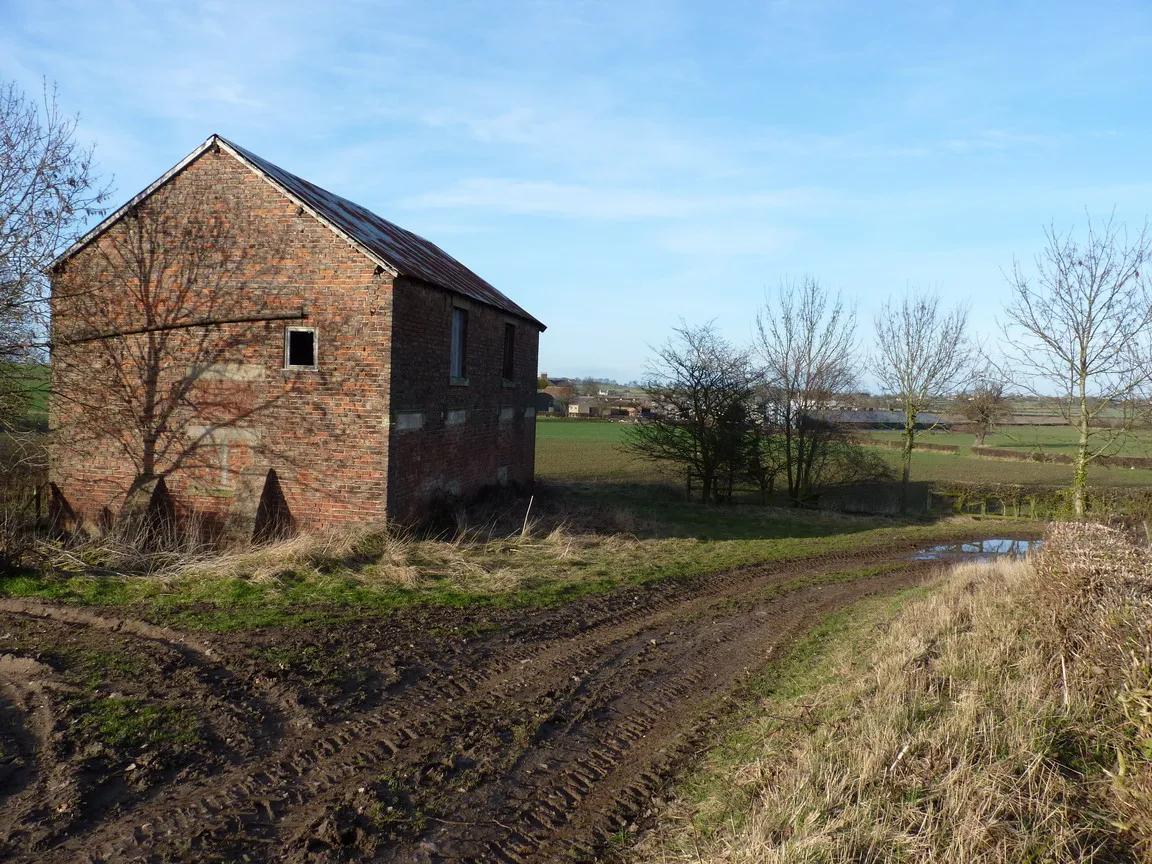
49	190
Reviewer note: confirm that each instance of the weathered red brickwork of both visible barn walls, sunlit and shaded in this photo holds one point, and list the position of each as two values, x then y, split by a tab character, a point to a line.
331	434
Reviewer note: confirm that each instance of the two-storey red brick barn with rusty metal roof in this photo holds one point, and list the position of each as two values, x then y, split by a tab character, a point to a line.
240	344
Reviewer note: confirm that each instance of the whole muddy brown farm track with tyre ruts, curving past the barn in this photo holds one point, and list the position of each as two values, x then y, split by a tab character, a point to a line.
435	736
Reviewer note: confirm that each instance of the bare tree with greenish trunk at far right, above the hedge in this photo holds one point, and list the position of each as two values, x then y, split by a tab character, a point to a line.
1078	332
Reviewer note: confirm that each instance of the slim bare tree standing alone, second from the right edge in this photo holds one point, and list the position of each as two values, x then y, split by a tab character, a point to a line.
922	357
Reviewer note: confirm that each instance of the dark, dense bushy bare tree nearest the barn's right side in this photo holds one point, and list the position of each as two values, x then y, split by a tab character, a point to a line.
704	385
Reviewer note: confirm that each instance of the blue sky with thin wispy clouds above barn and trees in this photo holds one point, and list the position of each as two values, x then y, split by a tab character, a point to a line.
617	166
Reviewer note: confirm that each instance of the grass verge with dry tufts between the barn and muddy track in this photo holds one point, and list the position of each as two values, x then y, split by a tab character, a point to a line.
573	554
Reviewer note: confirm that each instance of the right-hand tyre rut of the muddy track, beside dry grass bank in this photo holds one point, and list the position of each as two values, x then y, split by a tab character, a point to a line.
571	792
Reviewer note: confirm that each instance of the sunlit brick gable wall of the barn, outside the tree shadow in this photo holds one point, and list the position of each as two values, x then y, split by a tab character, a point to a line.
323	431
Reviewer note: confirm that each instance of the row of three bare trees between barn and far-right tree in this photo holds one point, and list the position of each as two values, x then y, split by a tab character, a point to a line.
769	413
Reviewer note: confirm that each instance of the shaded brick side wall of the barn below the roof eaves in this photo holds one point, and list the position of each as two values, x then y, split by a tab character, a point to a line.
442	460
